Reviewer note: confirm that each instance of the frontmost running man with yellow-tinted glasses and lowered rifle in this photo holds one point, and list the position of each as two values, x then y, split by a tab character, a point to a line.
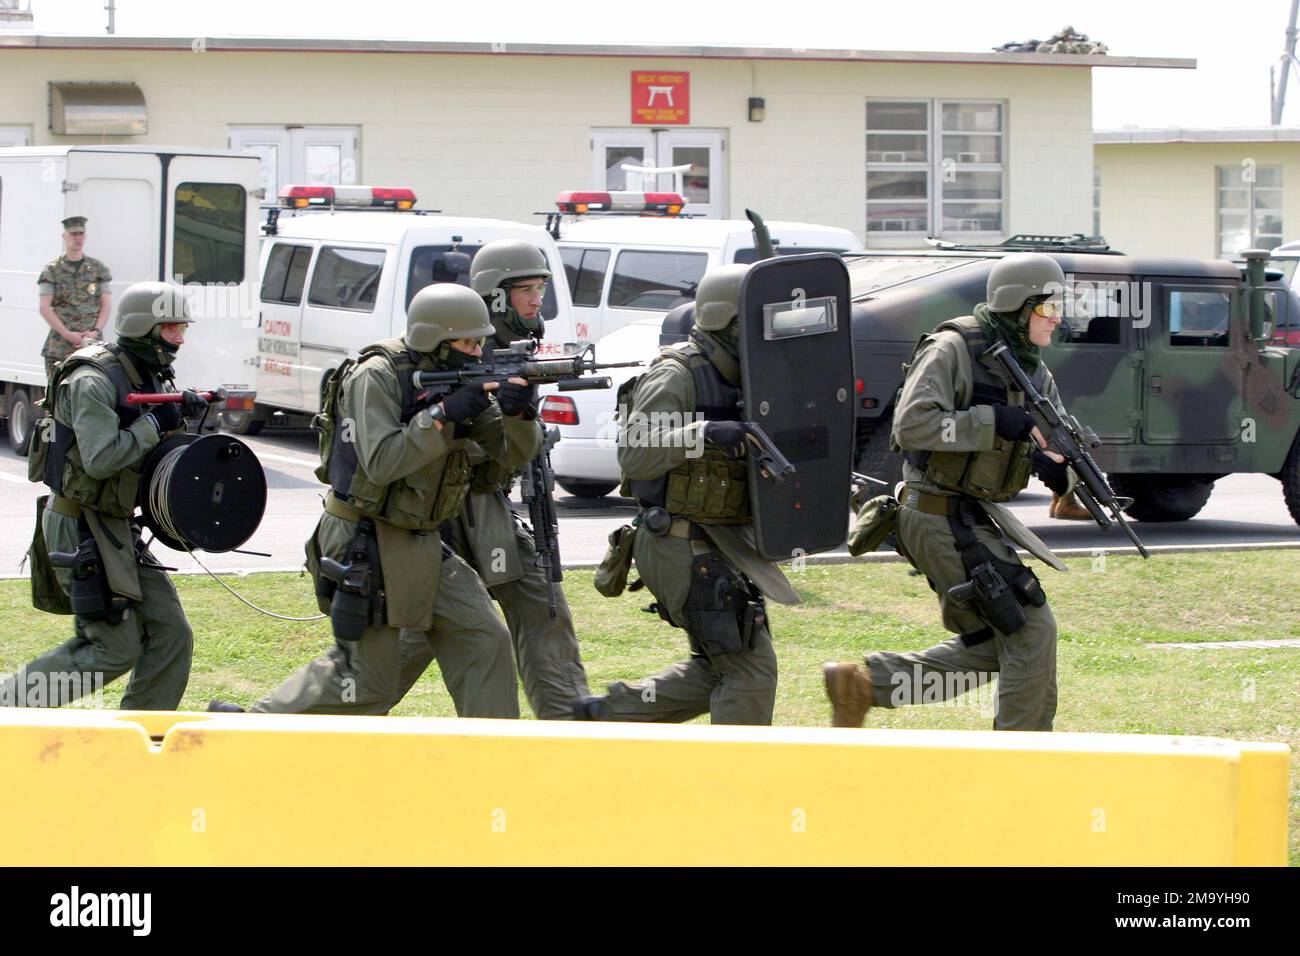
968	444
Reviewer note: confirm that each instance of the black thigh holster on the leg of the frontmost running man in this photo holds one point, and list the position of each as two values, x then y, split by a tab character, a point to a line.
998	591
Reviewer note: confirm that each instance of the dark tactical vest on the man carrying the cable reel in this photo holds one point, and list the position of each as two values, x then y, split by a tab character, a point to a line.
62	468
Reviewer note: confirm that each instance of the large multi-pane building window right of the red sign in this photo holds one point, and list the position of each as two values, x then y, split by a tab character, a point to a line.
915	189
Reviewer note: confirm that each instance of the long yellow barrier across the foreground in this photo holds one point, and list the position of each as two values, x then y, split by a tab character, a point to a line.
93	789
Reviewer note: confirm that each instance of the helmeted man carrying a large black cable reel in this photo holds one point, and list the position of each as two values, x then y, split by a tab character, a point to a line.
92	464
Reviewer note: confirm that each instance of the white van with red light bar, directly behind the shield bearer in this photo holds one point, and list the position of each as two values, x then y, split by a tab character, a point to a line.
625	269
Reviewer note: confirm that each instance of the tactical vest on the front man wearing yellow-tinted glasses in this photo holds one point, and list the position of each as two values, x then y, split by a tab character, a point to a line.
1004	470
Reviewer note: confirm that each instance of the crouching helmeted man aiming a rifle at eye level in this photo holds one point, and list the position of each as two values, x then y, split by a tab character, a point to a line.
398	468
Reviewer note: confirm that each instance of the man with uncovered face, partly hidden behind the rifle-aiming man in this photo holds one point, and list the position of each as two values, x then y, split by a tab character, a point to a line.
512	278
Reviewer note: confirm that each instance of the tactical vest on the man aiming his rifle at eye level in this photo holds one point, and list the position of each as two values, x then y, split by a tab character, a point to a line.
419	501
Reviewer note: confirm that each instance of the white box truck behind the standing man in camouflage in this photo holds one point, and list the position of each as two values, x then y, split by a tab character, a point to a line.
153	213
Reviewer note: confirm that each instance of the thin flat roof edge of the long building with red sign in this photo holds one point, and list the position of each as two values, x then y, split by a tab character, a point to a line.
301	45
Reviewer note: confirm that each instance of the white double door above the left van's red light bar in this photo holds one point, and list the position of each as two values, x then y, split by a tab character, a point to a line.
301	155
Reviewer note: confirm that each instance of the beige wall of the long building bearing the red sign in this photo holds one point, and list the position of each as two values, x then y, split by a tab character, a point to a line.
500	135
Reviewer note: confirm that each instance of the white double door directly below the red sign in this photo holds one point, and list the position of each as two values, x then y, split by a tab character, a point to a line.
703	152
